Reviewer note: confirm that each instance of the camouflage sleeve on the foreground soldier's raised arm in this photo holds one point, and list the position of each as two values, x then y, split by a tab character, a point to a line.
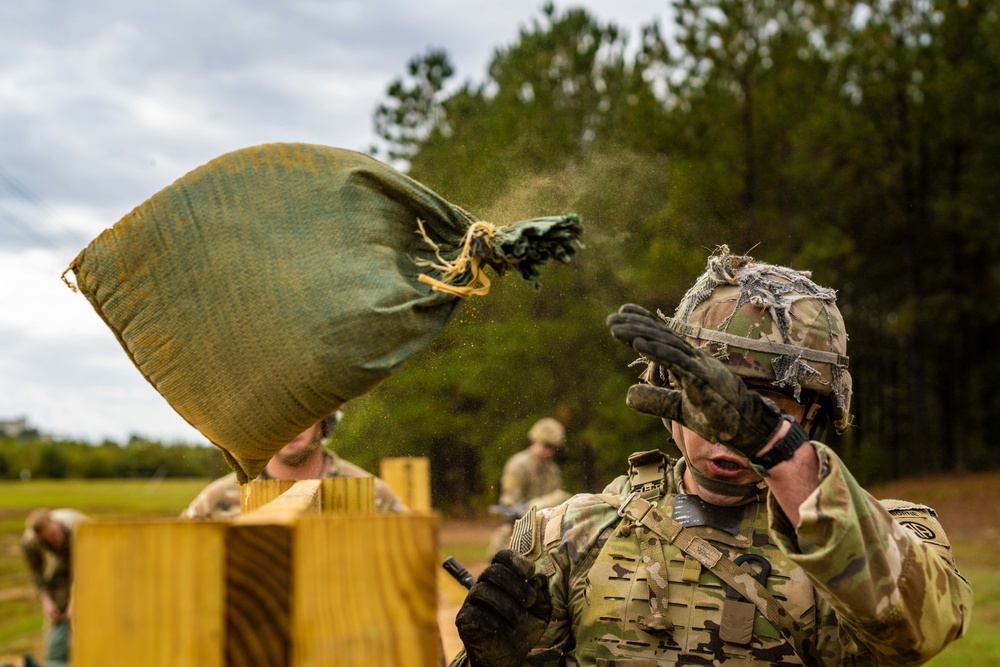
893	587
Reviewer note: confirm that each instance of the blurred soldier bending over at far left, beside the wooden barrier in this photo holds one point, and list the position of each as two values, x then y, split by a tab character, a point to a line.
47	544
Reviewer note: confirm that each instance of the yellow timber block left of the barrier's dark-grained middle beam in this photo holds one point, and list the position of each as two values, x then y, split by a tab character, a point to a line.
149	593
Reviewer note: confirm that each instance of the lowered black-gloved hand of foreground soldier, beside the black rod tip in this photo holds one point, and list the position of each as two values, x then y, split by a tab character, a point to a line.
505	612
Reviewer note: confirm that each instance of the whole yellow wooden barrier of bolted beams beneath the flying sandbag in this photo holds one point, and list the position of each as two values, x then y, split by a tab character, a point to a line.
306	575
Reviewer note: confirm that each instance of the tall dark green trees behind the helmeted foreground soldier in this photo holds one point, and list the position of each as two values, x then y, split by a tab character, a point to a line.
854	139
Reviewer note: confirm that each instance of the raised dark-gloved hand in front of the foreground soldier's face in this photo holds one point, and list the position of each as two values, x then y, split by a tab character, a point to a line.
707	397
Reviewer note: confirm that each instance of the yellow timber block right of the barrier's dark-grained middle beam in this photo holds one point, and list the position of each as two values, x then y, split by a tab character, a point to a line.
365	591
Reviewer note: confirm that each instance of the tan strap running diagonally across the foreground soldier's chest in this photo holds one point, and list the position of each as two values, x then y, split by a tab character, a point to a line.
645	514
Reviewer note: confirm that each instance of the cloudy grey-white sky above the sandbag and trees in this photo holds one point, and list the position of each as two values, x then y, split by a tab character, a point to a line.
105	102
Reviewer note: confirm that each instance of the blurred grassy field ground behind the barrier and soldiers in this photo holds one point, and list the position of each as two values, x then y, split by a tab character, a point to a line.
967	506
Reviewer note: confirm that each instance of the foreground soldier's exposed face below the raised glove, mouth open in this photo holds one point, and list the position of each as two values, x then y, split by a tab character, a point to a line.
718	461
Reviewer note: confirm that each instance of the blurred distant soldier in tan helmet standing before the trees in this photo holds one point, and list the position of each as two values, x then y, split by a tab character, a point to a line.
531	478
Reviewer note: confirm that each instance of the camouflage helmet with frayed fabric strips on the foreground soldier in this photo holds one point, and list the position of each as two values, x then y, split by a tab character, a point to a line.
771	325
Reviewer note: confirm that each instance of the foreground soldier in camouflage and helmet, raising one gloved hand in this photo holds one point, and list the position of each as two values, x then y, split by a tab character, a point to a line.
757	547
